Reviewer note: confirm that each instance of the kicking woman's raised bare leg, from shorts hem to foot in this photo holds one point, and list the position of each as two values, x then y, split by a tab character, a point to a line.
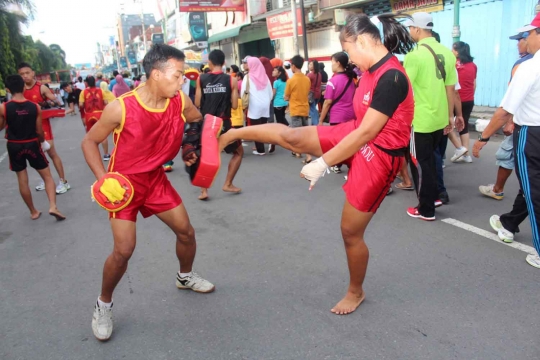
298	140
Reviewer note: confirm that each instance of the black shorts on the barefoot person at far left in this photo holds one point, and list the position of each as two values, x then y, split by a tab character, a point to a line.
19	152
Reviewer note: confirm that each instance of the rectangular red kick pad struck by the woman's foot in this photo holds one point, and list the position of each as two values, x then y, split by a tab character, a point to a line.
210	159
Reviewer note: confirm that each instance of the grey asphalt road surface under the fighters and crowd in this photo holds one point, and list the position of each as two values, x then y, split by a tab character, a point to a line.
274	252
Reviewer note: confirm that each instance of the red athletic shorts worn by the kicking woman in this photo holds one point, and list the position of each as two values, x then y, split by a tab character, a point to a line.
371	170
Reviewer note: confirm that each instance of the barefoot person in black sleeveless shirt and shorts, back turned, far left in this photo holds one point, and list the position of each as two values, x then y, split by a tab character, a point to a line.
24	134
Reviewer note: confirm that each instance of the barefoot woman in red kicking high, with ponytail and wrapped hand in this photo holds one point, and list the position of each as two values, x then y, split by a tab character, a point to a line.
373	145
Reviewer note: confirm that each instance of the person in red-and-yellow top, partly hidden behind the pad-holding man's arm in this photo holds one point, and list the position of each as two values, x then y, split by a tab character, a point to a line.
93	101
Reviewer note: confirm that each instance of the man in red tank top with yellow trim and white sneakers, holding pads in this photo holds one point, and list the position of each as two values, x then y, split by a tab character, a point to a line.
148	125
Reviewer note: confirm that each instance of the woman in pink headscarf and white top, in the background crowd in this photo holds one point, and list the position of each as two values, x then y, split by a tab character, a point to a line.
260	95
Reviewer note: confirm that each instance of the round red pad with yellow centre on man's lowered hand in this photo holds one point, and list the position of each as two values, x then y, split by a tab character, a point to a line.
113	192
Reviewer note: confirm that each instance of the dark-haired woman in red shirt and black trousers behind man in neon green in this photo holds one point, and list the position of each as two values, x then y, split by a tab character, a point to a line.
467	79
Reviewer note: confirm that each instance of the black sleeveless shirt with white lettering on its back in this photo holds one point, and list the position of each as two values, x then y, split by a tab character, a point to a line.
216	94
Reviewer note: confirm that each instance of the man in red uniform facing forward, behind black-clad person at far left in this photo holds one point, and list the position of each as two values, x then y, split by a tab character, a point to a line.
39	93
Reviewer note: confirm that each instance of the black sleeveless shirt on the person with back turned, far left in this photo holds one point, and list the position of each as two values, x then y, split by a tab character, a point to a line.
21	120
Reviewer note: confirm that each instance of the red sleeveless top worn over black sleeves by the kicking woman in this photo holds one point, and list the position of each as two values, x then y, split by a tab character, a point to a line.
397	131
